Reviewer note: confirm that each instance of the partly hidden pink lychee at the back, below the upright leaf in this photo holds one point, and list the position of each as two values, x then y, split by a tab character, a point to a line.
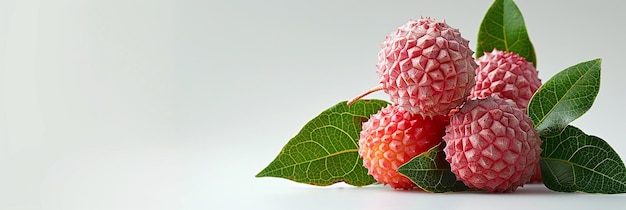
506	75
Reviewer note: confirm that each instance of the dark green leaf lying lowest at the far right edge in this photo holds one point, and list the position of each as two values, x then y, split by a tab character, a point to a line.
574	161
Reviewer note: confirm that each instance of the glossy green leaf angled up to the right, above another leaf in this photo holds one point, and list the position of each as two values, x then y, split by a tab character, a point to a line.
565	97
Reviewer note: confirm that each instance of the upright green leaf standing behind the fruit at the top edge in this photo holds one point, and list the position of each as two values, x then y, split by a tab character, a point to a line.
503	28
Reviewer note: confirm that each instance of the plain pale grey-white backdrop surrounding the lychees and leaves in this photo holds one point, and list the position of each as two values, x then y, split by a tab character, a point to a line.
137	104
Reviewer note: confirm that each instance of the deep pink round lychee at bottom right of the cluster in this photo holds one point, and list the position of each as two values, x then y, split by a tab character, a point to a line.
491	145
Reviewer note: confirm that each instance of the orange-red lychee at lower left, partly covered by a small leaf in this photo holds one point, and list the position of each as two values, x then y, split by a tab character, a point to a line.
392	137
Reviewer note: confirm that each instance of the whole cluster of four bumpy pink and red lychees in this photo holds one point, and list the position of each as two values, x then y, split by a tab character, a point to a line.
440	94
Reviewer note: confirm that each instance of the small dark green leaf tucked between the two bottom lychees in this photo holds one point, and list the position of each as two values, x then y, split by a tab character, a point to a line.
431	172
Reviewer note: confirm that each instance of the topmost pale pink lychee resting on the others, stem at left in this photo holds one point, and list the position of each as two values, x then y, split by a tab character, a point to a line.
426	67
